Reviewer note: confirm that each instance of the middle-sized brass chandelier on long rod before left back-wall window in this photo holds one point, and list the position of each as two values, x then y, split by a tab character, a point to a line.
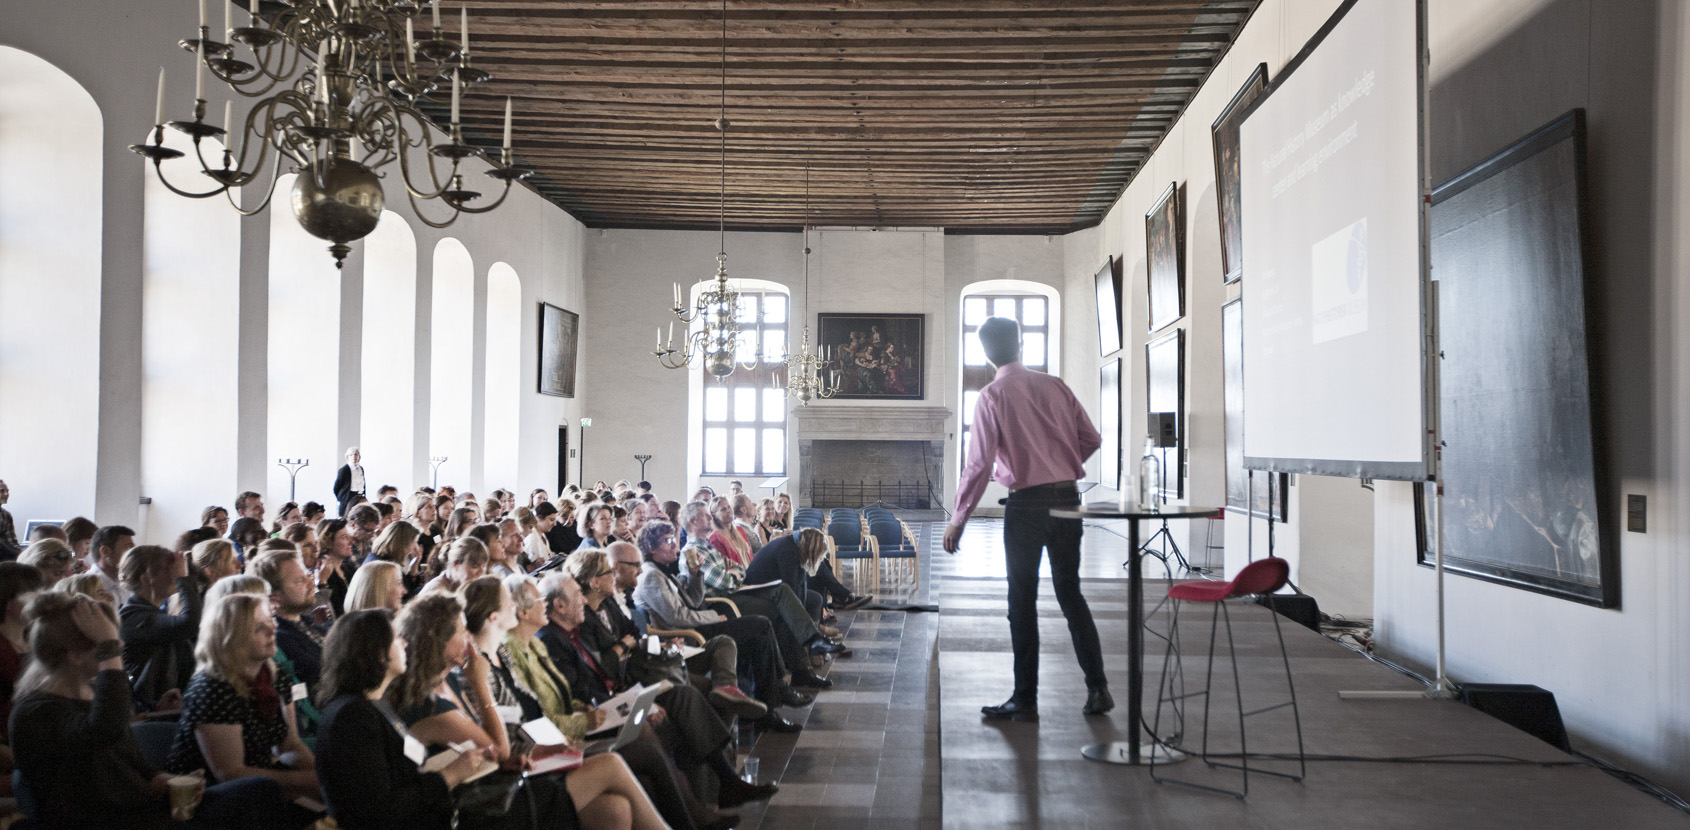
717	309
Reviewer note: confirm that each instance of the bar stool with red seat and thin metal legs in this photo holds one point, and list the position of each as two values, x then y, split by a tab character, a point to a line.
1258	579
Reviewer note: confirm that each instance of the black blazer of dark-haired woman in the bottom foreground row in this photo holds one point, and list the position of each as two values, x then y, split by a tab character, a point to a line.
368	780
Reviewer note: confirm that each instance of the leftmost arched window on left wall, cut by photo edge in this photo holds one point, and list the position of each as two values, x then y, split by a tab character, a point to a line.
50	288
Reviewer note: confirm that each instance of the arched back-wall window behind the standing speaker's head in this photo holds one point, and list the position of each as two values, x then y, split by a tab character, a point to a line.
1035	307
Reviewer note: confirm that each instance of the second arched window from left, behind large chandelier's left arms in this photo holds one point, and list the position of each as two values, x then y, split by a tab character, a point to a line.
190	330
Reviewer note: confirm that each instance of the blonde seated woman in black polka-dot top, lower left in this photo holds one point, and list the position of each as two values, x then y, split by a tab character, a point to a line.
237	714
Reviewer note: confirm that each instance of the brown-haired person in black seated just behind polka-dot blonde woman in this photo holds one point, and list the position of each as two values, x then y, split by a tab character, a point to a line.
158	647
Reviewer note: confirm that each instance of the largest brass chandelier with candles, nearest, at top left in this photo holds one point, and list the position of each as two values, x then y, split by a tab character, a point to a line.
337	87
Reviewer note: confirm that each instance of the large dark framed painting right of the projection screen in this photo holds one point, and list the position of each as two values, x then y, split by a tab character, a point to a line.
1520	466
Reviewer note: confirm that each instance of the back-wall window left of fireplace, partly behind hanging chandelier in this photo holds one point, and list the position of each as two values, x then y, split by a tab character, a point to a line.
746	412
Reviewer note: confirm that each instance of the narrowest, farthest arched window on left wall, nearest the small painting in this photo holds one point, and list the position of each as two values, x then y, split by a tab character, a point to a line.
504	378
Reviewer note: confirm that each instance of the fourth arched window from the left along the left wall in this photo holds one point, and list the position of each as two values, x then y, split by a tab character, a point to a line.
388	417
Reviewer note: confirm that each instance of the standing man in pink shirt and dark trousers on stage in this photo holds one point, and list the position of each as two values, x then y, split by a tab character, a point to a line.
1039	435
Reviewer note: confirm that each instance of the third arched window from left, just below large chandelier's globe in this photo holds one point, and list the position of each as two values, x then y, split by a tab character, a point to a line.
303	359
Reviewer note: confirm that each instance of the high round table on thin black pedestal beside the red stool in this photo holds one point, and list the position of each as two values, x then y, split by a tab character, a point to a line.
1133	750
